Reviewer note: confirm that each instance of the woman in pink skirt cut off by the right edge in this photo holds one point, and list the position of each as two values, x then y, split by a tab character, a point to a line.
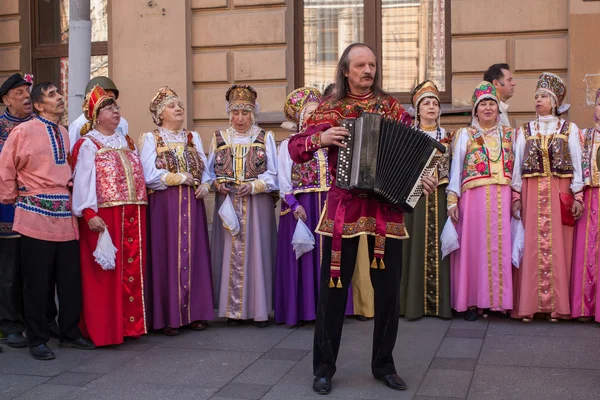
586	248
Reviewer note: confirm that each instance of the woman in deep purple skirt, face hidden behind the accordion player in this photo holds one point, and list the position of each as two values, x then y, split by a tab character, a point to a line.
303	189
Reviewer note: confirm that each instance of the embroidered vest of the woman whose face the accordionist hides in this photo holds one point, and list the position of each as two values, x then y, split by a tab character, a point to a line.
313	175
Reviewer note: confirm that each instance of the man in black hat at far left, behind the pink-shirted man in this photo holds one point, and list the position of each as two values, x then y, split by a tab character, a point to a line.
14	93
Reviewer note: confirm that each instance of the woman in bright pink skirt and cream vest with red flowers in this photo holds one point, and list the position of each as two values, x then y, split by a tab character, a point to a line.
479	197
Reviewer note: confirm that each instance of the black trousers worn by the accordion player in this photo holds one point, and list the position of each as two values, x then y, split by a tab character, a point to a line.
332	304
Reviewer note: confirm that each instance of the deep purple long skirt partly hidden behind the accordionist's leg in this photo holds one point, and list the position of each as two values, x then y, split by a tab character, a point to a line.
297	281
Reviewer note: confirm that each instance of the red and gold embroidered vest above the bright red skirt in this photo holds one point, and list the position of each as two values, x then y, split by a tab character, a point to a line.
119	176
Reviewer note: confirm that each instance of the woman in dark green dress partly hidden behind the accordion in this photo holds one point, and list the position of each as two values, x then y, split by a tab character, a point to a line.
425	288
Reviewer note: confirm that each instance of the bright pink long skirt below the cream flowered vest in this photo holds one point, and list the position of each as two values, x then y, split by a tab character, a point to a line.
481	269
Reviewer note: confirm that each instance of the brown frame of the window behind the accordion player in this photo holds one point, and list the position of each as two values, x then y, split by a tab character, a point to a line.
372	37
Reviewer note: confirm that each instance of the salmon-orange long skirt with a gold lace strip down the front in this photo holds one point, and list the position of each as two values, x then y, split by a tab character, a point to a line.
542	282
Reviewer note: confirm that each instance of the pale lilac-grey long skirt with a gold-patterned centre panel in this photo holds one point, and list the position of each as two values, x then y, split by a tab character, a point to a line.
243	264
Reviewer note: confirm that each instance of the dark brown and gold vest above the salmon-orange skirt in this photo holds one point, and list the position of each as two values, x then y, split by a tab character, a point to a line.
547	156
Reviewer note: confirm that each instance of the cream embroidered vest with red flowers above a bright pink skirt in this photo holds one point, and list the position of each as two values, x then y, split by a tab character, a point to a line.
479	170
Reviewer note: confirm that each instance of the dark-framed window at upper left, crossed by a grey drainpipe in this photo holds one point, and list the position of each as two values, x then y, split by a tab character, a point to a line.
50	41
